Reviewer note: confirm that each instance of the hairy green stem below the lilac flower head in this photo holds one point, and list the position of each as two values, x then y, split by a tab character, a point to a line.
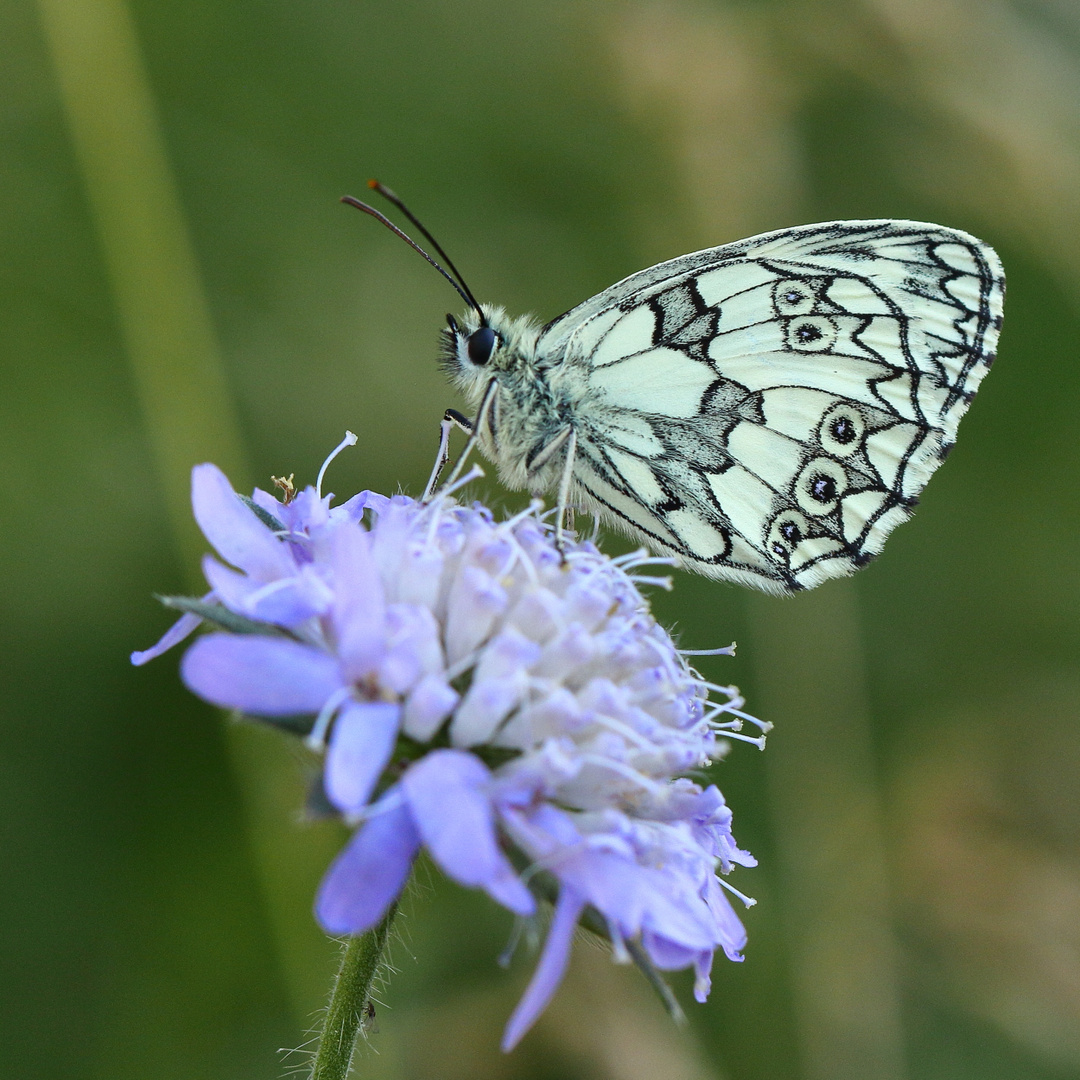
349	1002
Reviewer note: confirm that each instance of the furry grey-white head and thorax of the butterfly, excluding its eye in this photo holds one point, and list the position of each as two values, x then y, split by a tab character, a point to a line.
535	398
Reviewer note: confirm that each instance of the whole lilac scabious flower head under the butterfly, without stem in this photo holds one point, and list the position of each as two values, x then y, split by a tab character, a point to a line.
510	707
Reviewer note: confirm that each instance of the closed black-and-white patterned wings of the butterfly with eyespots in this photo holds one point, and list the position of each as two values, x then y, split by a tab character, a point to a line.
769	411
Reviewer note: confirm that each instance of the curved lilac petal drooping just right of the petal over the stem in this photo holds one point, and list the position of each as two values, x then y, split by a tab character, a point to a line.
448	793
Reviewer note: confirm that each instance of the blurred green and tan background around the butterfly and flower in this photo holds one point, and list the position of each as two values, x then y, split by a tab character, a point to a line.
180	283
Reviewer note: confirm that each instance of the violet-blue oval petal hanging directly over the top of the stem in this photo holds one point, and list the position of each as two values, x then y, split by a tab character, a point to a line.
369	876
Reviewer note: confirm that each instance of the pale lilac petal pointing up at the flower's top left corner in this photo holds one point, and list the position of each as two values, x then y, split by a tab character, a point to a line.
238	536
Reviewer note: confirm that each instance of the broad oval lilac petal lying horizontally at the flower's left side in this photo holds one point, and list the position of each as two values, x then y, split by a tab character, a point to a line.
265	677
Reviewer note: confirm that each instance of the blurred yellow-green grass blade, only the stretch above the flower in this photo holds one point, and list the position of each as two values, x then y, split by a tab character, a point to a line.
164	316
